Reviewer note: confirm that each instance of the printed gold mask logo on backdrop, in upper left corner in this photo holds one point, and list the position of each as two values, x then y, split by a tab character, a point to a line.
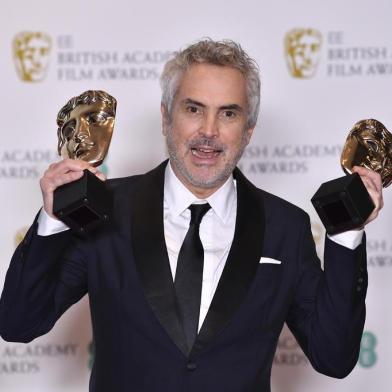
31	52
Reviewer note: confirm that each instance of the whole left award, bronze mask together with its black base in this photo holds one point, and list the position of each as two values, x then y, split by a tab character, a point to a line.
85	127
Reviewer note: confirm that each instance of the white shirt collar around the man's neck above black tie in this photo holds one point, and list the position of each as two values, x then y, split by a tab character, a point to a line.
178	197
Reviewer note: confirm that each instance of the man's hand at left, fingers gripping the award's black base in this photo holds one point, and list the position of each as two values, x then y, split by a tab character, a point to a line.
61	173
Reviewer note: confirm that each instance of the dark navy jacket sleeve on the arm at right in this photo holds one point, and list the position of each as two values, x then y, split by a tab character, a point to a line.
327	314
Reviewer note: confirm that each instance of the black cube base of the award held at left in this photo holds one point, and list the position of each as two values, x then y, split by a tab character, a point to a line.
83	204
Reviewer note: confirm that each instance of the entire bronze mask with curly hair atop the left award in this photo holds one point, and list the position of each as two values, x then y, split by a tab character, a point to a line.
86	125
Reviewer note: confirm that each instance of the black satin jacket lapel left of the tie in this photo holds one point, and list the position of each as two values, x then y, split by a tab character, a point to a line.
151	256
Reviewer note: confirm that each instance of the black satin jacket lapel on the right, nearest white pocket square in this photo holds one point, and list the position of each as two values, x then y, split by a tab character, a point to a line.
241	264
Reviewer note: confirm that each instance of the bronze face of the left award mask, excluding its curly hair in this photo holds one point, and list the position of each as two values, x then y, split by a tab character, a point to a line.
87	133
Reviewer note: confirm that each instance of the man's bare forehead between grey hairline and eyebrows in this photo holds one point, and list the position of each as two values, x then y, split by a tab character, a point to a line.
213	84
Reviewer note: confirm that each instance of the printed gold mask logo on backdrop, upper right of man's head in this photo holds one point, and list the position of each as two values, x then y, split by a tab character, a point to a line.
302	50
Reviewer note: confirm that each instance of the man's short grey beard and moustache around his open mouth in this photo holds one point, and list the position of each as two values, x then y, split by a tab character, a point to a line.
216	176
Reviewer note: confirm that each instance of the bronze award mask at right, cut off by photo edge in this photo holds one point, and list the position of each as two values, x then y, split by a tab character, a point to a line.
369	144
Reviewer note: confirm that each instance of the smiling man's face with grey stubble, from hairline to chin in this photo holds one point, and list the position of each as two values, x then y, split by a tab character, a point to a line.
206	132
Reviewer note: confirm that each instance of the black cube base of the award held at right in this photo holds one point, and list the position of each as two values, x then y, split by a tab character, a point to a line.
343	204
